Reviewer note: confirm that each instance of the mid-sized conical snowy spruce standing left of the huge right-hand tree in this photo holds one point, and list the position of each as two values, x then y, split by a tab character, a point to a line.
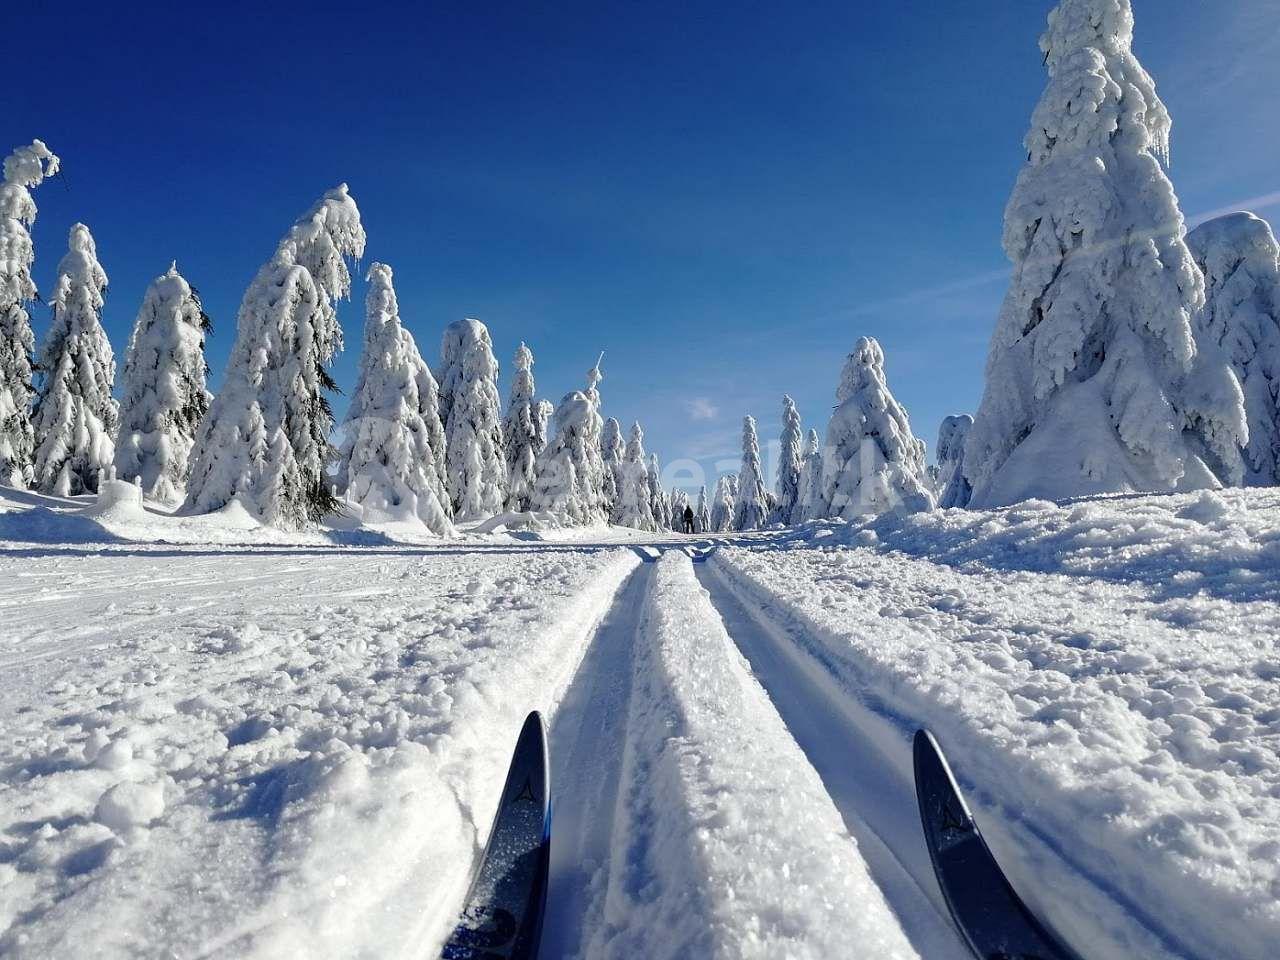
874	464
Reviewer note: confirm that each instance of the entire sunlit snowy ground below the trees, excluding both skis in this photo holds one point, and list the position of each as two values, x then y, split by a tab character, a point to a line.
292	749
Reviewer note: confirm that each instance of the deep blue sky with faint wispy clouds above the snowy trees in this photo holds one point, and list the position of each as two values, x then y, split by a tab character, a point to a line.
721	196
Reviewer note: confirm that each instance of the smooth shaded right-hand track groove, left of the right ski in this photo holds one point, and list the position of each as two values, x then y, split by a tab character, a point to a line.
851	749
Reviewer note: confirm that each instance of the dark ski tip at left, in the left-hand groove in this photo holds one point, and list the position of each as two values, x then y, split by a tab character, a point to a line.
504	915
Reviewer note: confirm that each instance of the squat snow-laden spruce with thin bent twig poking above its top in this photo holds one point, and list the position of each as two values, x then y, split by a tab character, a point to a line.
563	484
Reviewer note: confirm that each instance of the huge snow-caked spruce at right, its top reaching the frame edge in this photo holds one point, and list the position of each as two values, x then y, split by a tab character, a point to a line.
1094	383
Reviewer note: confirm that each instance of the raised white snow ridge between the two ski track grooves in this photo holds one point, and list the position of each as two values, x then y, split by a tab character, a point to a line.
728	844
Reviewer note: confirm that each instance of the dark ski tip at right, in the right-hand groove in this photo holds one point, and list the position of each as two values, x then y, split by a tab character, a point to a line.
993	918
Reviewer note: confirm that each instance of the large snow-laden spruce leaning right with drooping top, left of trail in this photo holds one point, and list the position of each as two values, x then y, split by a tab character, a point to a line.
287	333
